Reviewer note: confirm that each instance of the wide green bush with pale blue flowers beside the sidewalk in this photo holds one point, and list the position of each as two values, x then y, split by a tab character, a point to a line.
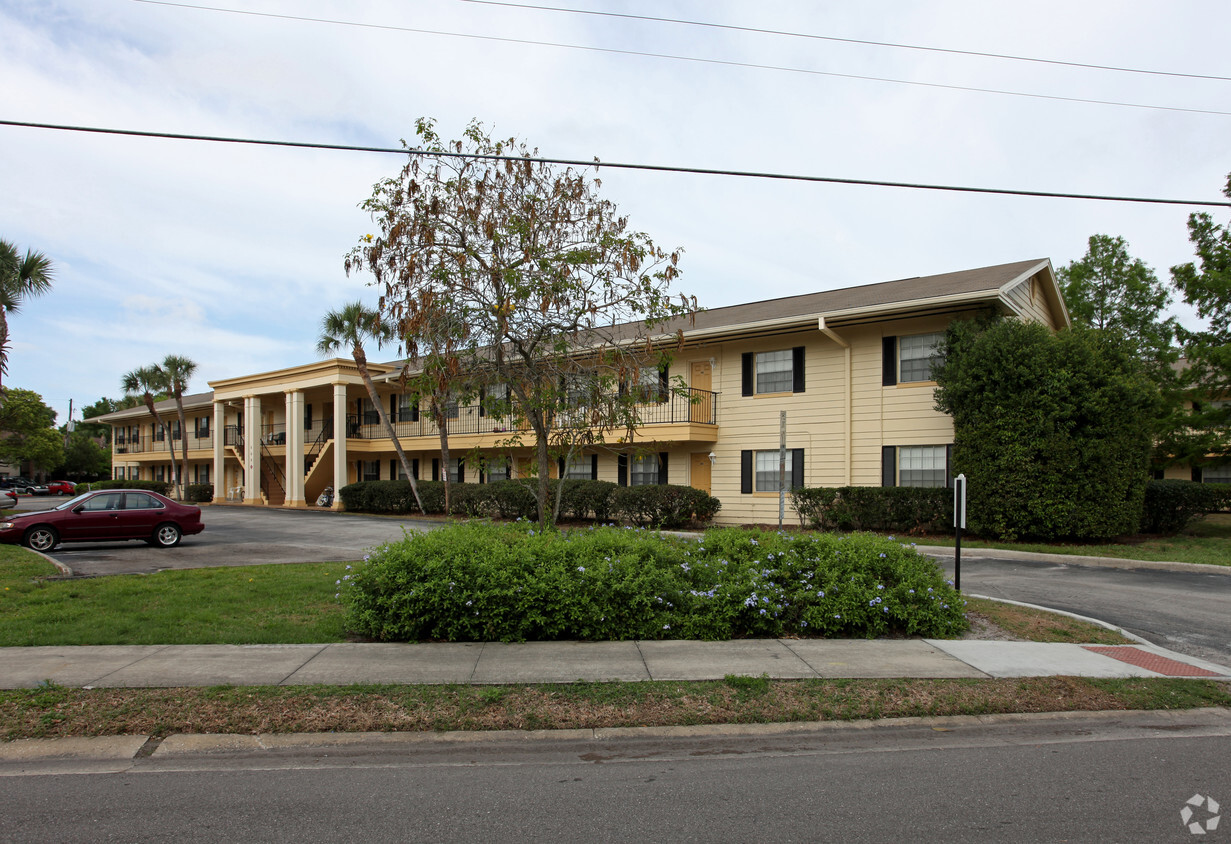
484	583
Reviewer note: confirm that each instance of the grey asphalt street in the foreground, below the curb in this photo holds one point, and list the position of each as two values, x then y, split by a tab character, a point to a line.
1095	778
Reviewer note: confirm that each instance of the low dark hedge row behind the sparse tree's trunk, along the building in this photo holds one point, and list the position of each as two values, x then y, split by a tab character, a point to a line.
652	506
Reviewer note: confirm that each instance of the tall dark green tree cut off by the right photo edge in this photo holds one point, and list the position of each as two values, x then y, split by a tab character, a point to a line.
1207	286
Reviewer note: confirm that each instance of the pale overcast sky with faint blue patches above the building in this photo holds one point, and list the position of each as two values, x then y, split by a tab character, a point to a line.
231	255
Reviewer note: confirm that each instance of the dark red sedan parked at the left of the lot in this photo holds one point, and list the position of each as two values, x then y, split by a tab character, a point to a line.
105	515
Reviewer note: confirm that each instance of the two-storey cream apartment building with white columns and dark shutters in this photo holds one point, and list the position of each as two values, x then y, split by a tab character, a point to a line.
851	370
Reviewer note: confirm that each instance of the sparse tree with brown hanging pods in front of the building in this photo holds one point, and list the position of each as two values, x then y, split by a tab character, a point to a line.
556	297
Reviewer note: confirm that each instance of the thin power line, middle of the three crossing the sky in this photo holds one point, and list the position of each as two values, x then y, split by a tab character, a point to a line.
694	60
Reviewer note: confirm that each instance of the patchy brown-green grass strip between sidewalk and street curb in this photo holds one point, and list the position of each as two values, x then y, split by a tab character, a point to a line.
52	712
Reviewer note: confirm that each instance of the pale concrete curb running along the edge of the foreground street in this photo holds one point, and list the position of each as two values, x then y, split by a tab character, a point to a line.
182	746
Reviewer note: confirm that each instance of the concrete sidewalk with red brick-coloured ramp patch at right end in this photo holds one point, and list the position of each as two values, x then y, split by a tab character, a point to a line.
163	666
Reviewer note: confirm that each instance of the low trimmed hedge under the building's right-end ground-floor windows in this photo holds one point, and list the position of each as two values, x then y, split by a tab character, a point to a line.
897	509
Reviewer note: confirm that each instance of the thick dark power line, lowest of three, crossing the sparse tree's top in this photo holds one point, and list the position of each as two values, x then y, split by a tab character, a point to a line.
616	165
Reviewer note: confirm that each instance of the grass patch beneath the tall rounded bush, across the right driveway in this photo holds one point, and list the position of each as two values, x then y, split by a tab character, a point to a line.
1206	541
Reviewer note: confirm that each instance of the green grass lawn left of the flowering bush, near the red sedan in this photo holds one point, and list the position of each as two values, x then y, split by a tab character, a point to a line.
241	606
